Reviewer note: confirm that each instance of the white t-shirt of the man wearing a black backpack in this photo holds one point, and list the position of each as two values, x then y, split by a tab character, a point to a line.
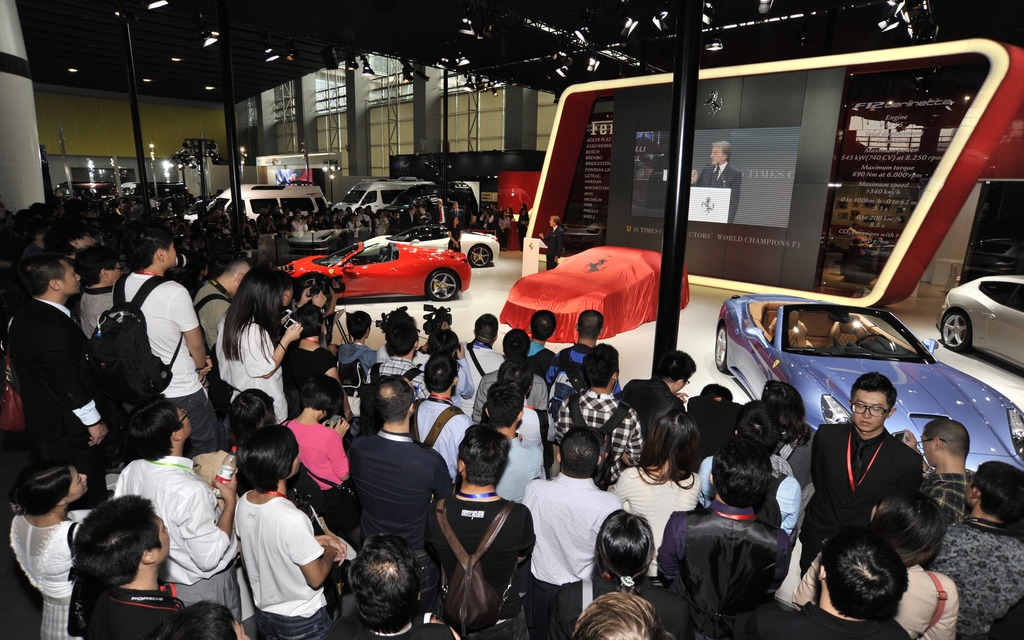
169	314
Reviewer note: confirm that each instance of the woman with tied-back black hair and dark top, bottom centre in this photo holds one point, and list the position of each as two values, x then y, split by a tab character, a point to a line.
624	551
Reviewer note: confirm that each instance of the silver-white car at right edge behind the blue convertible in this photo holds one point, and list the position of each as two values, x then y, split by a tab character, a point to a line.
987	315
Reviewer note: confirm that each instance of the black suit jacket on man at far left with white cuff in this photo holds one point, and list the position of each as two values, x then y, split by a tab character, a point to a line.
47	352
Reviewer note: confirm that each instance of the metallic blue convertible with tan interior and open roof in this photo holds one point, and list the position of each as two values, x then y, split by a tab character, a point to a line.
823	349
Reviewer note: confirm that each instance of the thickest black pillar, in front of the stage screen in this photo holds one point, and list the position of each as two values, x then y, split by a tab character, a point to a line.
685	96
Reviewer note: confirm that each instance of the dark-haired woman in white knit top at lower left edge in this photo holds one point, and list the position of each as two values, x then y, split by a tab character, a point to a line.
41	535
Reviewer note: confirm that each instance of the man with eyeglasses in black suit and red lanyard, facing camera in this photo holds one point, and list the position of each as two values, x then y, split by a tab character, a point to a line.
854	465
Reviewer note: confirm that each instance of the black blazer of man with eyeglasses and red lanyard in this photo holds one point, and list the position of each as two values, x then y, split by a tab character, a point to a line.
834	504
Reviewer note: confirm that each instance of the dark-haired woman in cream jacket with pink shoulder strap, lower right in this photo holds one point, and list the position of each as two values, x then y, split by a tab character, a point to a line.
914	525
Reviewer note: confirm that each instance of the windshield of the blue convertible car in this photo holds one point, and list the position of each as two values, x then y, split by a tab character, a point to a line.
849	332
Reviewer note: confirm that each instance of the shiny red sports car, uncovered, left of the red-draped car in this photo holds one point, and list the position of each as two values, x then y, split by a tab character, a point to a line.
391	270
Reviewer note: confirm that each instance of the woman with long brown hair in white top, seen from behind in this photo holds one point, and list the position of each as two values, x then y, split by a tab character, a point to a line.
663	482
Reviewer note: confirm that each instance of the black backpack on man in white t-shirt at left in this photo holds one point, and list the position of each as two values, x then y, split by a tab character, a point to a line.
119	352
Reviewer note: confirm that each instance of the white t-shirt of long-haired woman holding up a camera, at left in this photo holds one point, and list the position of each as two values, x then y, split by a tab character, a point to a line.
258	361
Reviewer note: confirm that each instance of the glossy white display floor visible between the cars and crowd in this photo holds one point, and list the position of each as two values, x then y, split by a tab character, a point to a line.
490	288
